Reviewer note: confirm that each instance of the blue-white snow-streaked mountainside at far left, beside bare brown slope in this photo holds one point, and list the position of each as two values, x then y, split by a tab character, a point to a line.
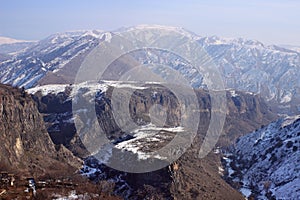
48	55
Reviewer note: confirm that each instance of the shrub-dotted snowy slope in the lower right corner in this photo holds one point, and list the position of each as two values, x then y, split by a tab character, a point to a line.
266	163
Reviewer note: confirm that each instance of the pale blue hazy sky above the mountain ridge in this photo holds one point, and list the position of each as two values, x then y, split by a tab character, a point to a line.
269	21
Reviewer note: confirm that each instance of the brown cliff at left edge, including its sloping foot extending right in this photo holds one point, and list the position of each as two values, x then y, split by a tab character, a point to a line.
26	145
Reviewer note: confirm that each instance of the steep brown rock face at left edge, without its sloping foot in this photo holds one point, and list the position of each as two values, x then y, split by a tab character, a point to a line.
21	125
